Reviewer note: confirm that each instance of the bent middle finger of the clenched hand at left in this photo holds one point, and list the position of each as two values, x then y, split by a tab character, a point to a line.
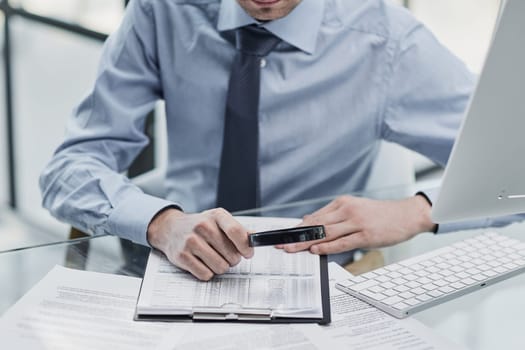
213	235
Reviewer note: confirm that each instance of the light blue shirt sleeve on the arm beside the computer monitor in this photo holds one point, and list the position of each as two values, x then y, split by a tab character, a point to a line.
427	94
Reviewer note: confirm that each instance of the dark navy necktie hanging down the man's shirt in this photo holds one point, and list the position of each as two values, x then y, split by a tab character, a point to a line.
239	172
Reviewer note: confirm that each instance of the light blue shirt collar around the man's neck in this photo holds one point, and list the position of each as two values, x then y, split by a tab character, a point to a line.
299	28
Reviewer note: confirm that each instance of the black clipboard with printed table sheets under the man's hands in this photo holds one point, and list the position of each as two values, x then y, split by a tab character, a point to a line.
272	286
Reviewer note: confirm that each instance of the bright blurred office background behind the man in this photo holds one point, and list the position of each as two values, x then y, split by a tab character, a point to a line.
53	50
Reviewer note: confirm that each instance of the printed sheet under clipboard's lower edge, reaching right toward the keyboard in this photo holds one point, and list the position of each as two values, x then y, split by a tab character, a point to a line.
355	325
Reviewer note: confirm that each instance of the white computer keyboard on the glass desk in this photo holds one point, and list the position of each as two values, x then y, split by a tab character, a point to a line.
412	285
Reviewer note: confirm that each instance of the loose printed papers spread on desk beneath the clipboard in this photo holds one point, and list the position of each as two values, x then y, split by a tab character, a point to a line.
71	309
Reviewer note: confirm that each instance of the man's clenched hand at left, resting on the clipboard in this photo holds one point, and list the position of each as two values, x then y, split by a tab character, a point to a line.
204	244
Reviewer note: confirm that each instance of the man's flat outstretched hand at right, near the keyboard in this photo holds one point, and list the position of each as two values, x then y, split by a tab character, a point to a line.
354	222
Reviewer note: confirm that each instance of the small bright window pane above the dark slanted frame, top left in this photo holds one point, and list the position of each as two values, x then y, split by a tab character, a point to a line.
98	15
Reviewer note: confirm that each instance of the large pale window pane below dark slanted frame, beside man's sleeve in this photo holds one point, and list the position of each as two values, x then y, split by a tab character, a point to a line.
52	71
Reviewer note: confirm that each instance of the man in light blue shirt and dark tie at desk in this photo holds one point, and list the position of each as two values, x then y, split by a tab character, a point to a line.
337	77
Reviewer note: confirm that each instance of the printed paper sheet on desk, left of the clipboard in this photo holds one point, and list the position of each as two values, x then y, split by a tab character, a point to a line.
72	309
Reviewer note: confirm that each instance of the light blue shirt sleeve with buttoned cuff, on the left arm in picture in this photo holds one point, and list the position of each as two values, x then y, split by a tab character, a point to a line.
83	184
